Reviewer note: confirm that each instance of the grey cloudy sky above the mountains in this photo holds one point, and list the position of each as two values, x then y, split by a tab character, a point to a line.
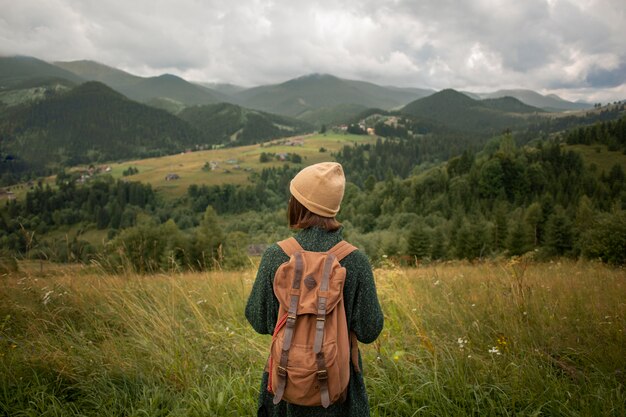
574	48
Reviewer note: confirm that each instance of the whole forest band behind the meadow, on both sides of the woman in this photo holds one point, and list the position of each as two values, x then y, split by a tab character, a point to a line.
504	201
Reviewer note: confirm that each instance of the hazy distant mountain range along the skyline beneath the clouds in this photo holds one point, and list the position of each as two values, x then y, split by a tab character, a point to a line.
299	97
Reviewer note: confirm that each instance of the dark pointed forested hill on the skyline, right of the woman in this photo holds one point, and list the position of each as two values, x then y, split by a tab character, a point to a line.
459	112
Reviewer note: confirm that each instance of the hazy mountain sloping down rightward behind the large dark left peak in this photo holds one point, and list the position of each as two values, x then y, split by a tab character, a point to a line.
145	89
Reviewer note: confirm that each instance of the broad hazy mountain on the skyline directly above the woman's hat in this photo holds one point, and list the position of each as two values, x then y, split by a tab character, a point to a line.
295	97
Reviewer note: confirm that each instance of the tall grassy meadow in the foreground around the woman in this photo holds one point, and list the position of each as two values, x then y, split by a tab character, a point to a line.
498	338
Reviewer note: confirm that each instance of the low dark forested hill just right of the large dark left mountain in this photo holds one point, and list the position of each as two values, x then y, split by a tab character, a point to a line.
235	125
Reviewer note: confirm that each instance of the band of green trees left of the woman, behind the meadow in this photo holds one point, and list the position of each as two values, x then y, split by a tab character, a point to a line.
144	232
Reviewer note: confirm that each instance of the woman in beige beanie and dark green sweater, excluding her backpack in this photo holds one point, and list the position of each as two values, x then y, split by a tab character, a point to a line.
316	194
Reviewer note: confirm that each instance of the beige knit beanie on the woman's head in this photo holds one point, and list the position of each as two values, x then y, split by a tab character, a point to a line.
320	188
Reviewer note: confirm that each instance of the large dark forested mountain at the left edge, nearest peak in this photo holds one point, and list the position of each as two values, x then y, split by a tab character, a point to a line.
90	123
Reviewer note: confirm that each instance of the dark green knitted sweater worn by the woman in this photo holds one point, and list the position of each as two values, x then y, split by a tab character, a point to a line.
363	313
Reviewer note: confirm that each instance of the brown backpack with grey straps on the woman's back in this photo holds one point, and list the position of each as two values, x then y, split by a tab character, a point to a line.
311	349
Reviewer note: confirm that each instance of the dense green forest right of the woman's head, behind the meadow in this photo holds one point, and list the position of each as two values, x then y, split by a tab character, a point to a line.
505	201
